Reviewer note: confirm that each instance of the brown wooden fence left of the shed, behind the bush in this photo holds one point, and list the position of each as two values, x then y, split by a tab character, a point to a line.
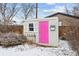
11	28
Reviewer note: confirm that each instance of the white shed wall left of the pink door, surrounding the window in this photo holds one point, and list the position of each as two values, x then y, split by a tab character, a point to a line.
30	34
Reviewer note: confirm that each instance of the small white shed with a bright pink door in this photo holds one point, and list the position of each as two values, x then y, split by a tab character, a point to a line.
42	31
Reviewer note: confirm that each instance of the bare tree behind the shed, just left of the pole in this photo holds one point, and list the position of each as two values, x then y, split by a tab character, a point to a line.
27	10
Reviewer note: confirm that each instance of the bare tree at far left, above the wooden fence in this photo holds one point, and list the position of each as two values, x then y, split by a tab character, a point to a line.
7	12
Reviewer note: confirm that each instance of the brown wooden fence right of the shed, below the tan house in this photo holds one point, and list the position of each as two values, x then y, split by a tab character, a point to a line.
65	30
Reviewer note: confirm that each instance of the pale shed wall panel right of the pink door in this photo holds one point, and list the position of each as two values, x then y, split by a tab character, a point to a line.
53	35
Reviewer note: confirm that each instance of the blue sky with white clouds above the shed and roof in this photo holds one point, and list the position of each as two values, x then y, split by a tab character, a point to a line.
45	9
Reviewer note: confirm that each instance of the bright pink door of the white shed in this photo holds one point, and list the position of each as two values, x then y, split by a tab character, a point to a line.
43	32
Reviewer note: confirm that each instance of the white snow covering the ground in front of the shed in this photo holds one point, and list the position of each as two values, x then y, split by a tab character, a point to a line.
32	50
